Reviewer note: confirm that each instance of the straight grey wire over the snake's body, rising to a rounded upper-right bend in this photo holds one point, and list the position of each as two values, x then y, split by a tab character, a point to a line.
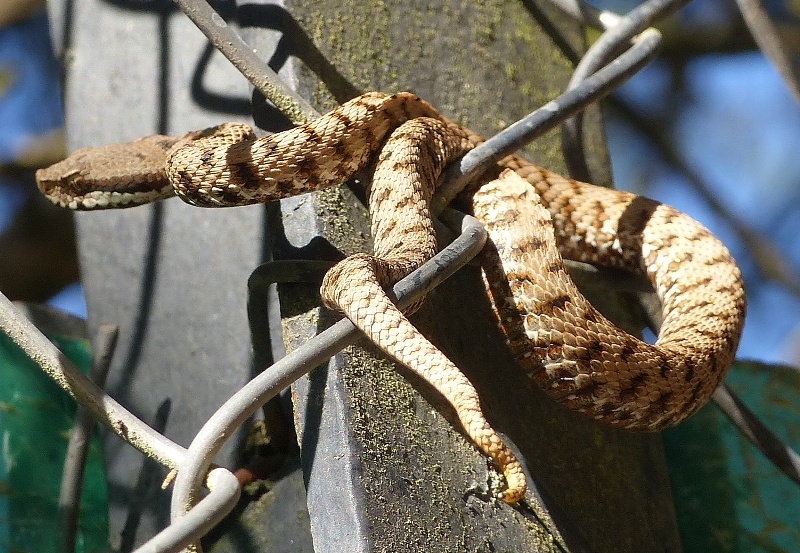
550	115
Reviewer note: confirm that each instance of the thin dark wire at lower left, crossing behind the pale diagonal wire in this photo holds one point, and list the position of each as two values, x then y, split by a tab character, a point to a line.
79	438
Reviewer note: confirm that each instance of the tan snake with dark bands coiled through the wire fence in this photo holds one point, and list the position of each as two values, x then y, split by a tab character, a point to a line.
534	219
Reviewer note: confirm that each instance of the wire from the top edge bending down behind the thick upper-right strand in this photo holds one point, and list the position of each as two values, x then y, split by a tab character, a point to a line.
611	41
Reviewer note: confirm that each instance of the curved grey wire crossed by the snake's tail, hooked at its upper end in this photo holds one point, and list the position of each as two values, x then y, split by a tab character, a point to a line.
316	351
